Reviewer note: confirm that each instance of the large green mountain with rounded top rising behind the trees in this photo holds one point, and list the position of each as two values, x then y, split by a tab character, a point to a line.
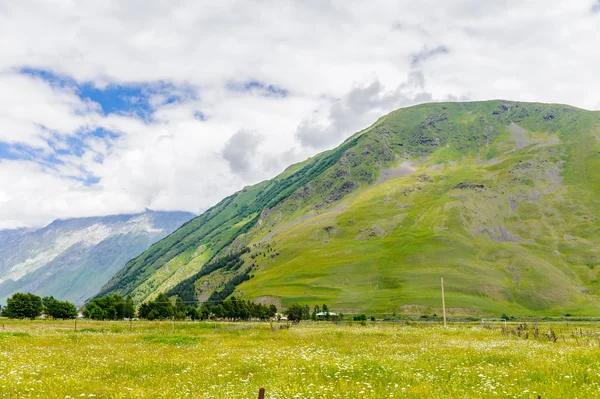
500	198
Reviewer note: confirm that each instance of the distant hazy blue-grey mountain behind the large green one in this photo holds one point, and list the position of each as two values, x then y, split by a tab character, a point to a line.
72	259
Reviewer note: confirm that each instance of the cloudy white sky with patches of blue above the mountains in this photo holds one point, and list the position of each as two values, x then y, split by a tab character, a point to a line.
111	107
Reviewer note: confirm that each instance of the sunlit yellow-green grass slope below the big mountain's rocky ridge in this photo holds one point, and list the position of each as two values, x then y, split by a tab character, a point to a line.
384	249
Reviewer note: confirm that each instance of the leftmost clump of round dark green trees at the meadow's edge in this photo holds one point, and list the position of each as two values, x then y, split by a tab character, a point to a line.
30	306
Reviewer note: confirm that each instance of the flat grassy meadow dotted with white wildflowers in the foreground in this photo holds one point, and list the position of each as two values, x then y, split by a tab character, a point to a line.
313	360
